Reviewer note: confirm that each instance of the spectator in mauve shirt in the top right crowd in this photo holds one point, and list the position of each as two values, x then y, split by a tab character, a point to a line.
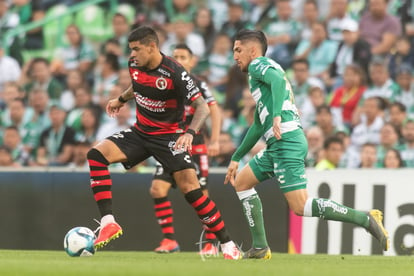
379	28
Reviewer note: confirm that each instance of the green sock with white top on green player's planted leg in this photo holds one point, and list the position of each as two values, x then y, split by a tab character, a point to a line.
252	207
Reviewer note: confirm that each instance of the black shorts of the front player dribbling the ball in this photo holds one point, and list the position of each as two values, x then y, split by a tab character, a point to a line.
138	146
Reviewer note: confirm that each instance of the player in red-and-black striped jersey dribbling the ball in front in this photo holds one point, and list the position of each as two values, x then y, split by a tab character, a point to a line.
161	89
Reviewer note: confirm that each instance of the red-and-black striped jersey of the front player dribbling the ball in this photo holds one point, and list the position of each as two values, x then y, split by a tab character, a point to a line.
161	95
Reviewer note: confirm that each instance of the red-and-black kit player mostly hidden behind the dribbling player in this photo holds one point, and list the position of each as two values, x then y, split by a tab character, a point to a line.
163	180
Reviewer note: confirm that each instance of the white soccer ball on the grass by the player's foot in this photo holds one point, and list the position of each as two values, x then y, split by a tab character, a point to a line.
79	242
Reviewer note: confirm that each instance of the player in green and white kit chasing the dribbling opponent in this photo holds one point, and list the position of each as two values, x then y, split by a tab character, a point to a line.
277	120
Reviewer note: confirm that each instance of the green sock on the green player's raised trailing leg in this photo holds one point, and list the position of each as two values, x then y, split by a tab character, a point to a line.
330	210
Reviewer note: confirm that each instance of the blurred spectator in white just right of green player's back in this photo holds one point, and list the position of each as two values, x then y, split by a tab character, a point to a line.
308	109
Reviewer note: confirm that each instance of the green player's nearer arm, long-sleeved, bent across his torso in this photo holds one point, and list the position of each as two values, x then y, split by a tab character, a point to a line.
278	86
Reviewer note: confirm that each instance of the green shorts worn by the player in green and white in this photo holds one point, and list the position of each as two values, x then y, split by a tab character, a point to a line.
285	160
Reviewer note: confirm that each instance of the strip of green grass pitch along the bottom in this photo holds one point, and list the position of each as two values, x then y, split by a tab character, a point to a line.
18	262
